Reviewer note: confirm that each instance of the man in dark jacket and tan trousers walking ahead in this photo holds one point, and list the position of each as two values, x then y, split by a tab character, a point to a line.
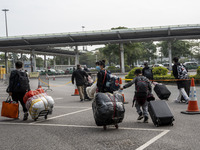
80	75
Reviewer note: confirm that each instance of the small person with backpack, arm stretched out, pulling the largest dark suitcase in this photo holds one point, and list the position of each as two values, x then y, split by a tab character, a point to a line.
142	90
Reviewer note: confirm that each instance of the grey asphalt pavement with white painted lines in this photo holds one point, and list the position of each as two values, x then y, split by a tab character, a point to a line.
72	125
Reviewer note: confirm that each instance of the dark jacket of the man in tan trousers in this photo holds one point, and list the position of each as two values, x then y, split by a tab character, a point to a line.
79	75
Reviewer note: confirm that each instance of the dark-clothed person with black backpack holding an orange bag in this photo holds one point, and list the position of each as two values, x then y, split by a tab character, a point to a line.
18	86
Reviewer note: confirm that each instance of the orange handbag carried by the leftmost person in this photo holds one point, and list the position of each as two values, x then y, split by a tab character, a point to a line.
10	108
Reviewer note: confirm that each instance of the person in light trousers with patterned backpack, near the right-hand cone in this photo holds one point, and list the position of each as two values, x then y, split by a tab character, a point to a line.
180	72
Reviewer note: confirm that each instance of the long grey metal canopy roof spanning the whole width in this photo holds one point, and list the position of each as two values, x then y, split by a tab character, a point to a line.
43	43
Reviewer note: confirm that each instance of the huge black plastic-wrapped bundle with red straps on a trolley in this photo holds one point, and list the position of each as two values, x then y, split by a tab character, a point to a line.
108	109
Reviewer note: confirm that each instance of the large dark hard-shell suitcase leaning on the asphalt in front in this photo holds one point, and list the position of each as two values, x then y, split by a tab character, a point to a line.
160	113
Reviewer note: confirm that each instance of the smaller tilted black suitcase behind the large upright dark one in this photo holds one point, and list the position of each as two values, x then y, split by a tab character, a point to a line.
162	91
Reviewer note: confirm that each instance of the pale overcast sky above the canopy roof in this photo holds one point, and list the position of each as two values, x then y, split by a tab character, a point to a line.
27	17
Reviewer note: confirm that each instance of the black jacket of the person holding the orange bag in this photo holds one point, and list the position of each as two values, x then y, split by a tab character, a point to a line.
13	80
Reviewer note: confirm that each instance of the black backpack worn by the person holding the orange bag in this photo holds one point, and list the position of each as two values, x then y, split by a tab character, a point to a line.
22	84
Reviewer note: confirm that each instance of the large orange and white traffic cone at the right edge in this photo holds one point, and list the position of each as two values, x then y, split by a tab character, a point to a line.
192	105
